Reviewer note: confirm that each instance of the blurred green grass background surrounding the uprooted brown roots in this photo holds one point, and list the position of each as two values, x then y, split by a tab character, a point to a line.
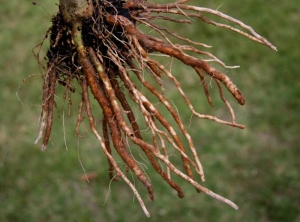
258	168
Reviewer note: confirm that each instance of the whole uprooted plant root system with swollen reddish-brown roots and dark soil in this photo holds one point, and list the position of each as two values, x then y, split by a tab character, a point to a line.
98	44
